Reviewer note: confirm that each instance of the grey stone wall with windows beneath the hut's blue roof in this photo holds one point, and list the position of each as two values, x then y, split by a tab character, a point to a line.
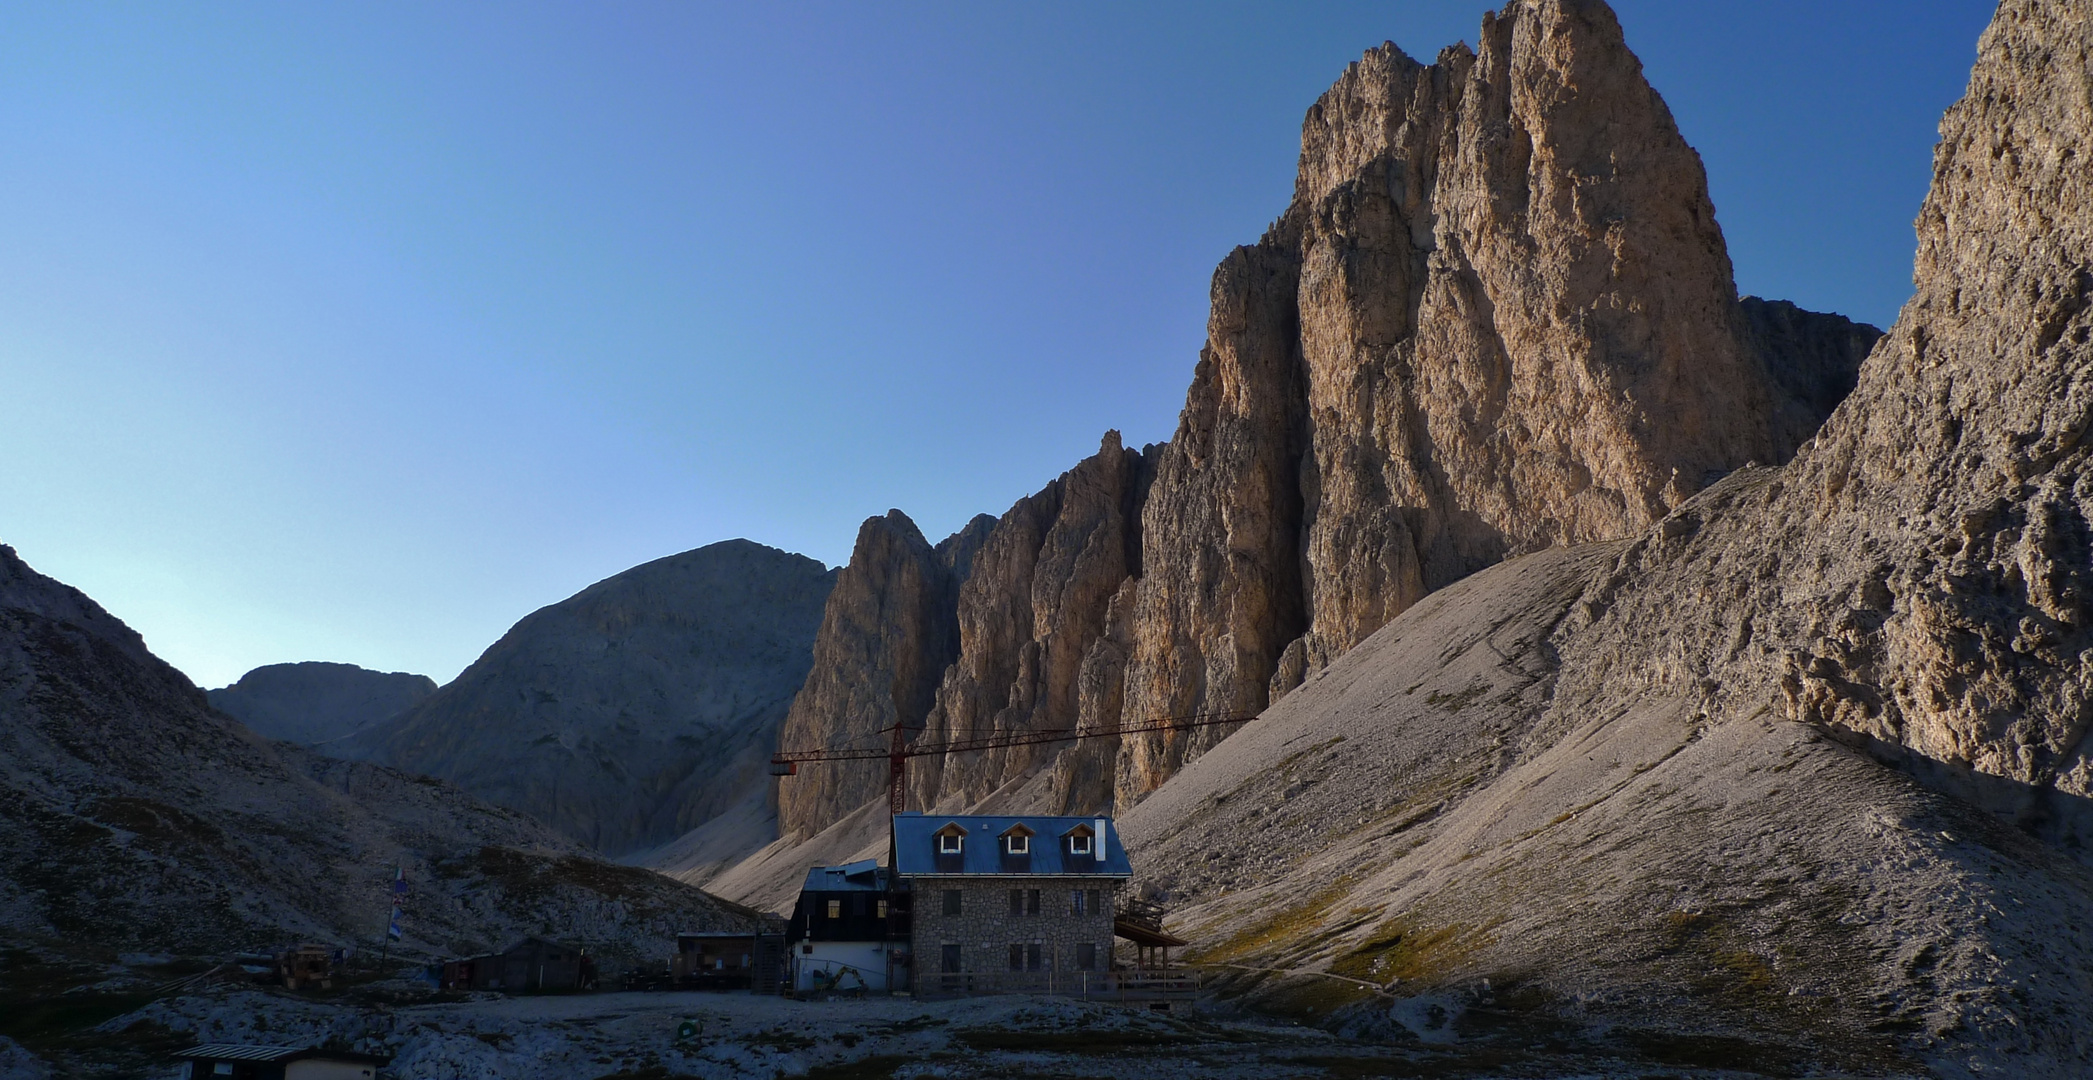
987	930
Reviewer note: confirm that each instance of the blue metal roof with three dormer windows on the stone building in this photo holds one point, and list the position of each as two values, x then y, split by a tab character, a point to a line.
916	847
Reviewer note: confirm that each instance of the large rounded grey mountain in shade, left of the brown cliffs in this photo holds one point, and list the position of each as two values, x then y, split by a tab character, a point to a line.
633	711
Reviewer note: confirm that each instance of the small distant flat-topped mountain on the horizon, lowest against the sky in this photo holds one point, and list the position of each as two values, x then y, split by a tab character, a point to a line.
317	702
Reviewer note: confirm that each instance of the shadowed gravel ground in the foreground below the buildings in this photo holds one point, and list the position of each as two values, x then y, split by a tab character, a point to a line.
637	1037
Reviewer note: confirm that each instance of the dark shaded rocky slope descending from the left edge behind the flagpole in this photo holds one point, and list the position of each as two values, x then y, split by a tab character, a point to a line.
135	817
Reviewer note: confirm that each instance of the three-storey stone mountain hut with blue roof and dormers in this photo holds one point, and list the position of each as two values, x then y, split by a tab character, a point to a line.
1010	903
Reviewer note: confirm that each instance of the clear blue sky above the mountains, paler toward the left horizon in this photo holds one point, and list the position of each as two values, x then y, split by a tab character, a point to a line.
359	332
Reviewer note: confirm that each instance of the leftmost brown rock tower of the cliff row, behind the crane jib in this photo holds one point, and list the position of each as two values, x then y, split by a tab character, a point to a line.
886	637
